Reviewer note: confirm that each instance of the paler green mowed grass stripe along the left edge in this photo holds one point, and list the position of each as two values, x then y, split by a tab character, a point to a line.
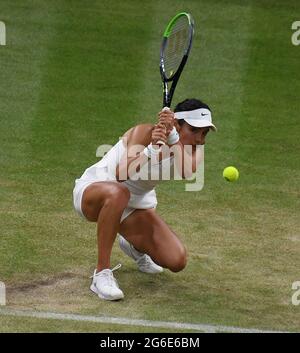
29	28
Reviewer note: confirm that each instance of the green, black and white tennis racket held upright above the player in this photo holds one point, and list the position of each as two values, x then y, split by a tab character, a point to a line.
174	52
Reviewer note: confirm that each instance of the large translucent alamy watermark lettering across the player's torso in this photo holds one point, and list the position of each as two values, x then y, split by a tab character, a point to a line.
173	163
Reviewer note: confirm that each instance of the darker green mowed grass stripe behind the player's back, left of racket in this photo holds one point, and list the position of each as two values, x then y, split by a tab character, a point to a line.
88	95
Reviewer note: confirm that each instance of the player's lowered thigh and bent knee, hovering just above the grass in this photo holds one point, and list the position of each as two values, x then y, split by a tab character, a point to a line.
150	234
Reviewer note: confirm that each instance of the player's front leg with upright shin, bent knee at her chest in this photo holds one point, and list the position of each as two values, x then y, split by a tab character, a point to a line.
104	203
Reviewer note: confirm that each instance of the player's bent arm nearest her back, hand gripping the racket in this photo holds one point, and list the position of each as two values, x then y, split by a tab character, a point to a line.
136	139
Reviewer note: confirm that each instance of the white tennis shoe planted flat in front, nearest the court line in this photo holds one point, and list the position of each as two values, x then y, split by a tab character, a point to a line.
105	285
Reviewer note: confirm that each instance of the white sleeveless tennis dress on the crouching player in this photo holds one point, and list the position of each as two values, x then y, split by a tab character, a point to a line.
142	190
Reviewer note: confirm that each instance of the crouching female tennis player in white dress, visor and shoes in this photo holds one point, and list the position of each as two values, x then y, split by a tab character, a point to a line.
109	193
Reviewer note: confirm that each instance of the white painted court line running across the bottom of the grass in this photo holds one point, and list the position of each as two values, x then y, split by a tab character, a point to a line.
128	322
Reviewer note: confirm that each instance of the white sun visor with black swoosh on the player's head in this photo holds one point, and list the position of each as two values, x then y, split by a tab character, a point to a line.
197	118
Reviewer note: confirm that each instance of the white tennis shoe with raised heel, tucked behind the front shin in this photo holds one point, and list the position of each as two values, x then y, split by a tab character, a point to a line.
144	261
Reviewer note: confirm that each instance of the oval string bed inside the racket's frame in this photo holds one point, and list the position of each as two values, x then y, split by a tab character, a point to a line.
177	45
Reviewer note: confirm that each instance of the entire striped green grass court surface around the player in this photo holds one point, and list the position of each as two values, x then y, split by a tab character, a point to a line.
75	75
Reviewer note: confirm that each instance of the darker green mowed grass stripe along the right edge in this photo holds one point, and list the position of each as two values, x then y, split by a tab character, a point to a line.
267	158
